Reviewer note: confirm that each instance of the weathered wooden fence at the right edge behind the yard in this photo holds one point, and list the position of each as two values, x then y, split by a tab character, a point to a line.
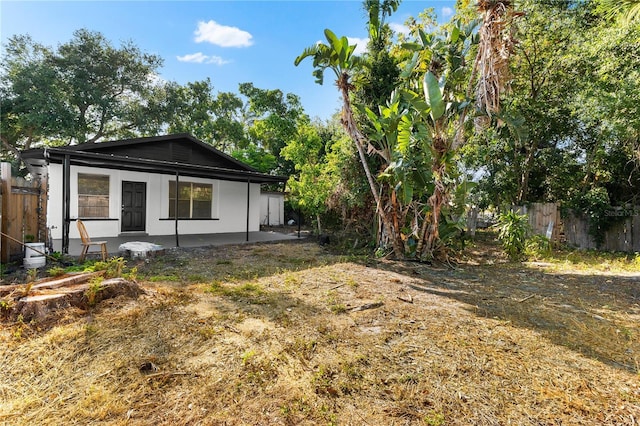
623	235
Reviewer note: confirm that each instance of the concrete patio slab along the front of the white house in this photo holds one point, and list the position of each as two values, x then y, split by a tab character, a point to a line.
167	241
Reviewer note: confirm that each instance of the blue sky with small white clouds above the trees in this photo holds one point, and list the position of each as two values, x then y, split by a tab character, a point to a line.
230	42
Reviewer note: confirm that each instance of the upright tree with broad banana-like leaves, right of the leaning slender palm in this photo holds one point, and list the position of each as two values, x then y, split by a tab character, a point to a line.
418	127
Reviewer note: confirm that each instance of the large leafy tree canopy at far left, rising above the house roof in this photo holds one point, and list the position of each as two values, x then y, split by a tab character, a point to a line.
83	91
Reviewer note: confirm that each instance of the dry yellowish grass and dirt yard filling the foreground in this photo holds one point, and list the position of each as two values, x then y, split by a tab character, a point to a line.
291	333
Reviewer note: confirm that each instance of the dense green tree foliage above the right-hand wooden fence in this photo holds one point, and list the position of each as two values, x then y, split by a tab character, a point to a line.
574	79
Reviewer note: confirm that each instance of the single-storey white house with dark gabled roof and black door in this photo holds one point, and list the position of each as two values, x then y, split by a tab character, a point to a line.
128	187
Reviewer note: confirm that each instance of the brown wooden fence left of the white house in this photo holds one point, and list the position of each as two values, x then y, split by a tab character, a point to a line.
23	213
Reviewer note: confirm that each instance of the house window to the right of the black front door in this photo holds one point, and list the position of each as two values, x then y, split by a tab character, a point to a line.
194	200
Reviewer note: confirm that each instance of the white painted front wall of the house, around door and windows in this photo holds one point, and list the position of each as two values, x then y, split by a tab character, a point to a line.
229	204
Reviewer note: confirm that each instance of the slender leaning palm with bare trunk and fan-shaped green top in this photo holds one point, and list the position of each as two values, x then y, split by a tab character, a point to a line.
337	56
